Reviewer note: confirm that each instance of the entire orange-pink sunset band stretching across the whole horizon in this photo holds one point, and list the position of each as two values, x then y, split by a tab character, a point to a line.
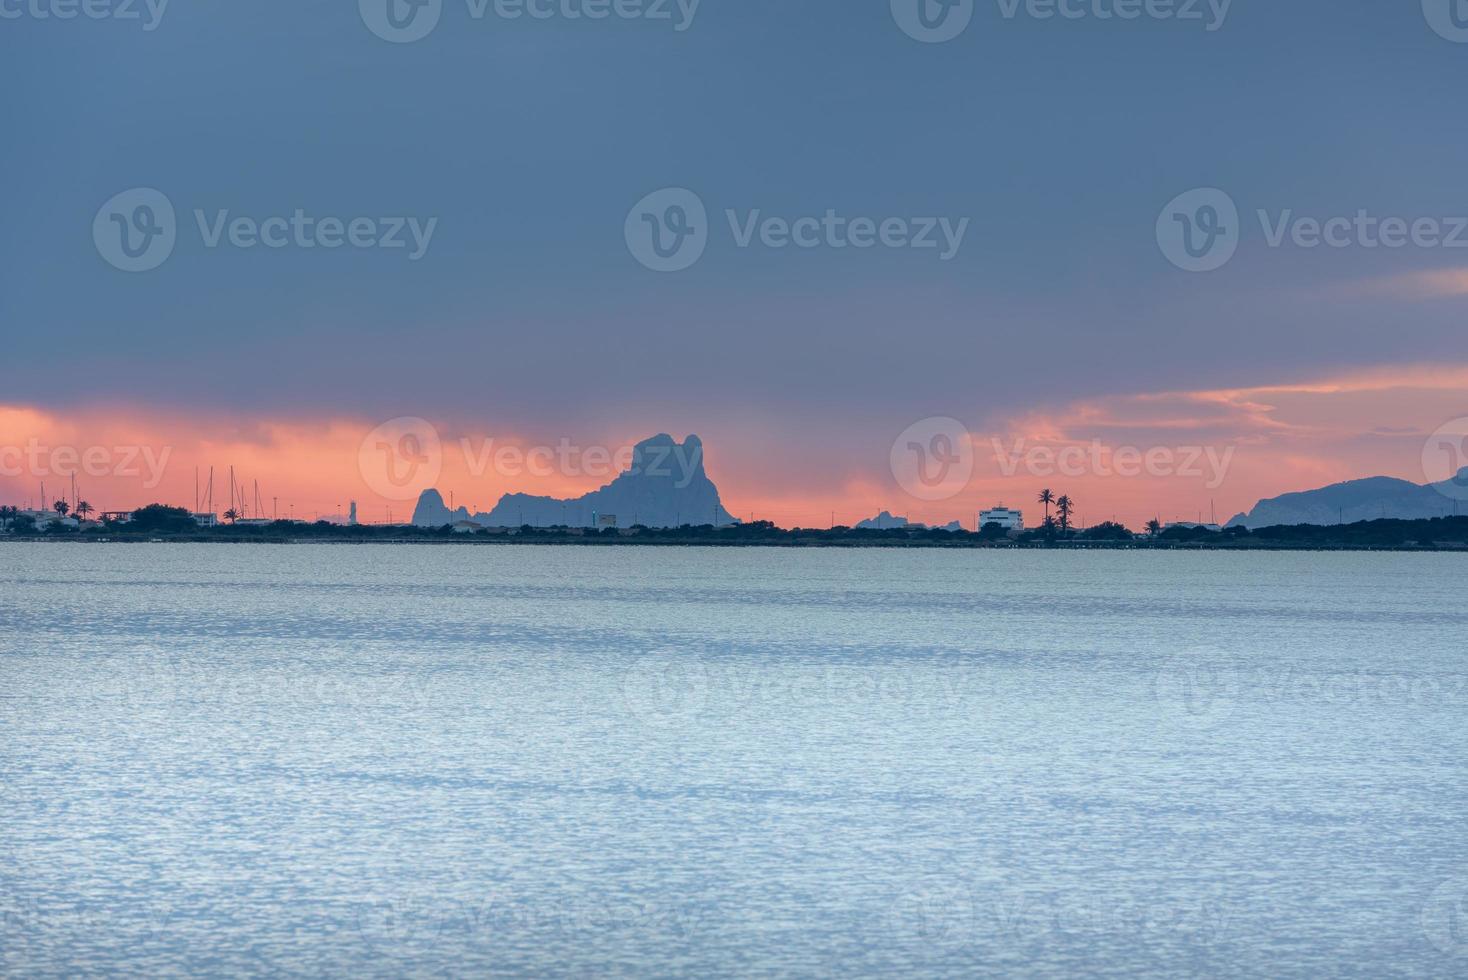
1131	457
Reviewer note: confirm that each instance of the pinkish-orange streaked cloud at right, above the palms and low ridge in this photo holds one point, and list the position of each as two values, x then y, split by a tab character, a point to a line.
1256	442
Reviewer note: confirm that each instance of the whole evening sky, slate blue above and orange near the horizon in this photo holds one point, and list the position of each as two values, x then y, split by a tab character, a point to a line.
504	175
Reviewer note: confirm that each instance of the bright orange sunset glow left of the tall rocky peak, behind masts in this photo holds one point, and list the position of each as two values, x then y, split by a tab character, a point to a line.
288	469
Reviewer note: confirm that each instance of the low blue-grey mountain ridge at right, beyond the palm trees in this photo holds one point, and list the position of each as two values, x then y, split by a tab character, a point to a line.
1369	500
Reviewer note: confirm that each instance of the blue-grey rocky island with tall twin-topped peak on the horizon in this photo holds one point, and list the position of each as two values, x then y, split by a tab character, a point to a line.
666	488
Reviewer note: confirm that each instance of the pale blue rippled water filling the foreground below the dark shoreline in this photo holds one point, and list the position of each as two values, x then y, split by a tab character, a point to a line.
660	762
